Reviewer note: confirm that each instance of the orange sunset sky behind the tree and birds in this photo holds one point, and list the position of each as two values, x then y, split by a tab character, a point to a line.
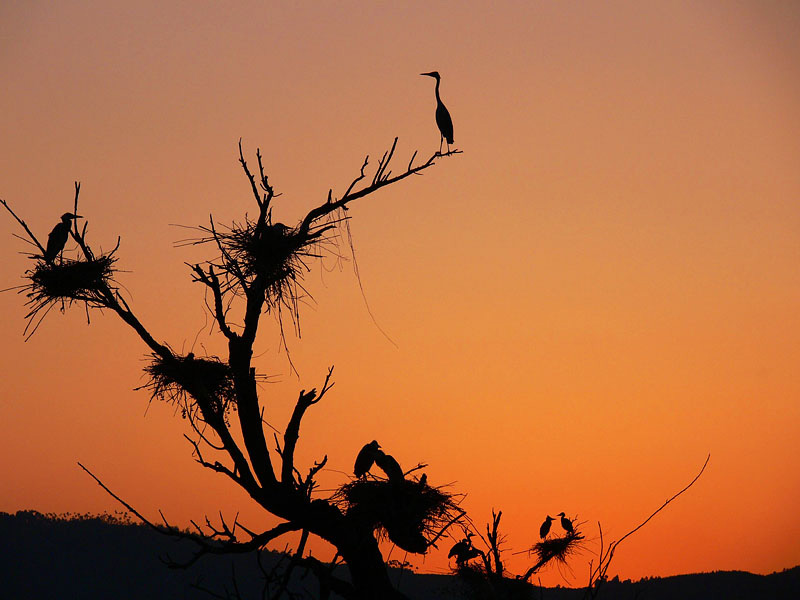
601	290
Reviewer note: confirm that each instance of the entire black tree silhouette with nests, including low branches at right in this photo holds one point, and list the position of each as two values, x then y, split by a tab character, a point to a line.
257	270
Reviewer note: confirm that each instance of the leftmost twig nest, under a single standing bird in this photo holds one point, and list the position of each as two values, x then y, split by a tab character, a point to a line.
65	282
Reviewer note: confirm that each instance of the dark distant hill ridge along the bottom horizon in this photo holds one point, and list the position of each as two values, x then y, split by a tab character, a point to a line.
84	557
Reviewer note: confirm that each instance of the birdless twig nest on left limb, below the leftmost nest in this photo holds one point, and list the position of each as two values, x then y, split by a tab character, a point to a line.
189	382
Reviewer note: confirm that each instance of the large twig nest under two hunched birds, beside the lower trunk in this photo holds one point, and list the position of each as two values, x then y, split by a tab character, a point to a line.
410	513
